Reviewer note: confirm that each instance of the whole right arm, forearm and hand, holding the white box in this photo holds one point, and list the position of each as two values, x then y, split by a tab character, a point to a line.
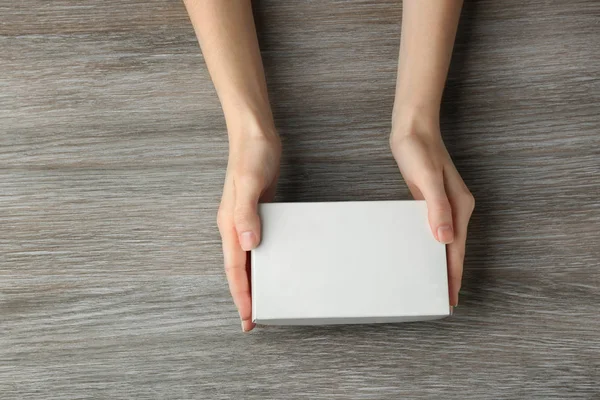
428	32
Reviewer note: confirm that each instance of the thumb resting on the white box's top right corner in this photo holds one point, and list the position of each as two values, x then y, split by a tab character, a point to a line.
439	209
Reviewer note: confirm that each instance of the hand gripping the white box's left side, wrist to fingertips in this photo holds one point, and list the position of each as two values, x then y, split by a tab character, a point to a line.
252	172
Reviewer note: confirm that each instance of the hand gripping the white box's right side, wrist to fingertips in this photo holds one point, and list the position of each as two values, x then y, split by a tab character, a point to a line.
430	175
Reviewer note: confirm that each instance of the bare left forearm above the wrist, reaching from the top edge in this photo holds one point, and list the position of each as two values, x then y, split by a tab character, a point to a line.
227	37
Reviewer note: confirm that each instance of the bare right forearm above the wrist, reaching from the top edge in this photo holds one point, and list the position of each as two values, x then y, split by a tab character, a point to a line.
428	33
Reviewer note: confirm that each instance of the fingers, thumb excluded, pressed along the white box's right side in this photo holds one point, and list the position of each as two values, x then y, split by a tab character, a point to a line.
462	205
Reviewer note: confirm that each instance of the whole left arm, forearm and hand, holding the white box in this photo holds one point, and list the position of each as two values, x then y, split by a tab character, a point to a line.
227	36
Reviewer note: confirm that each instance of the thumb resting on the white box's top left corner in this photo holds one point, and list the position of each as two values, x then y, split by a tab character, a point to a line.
245	213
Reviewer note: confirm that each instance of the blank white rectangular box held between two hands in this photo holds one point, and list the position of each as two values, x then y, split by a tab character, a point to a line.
347	262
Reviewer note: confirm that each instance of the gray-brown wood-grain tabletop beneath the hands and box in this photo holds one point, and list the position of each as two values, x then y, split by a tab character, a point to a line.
112	156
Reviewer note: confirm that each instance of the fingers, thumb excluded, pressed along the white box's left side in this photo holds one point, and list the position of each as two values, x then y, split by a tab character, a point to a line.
236	271
